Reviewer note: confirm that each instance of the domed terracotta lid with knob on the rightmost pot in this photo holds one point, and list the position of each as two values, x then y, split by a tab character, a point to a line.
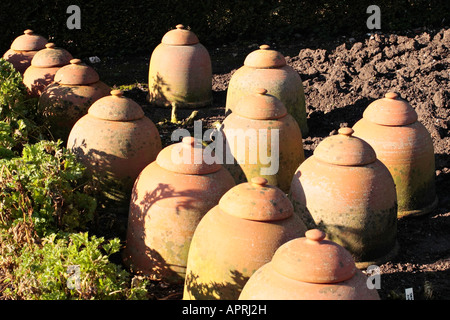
390	111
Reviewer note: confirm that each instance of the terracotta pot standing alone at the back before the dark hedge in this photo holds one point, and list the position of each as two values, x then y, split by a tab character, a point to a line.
180	71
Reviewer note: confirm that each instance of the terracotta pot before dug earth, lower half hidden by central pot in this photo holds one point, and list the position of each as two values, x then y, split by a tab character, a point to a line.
267	68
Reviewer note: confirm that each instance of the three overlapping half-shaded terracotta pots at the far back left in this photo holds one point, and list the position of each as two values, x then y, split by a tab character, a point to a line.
66	87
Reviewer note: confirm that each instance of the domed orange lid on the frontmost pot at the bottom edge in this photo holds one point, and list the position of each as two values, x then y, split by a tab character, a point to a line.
313	259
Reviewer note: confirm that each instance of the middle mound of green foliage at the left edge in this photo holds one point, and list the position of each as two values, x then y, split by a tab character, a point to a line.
45	182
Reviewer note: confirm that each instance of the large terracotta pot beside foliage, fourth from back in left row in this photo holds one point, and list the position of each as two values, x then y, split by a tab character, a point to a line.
115	141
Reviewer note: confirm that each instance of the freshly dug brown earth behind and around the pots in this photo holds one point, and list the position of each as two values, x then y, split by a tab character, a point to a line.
340	79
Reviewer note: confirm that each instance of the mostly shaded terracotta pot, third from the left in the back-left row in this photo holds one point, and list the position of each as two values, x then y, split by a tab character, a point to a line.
75	88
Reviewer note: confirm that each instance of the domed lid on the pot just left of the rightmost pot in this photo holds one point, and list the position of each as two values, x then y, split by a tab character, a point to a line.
344	149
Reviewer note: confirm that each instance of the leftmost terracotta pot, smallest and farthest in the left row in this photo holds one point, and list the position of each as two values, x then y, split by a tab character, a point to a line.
23	49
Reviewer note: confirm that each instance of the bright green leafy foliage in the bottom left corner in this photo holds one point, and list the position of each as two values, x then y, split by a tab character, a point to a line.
44	271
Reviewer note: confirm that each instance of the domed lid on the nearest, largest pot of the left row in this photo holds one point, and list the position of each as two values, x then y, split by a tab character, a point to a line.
116	107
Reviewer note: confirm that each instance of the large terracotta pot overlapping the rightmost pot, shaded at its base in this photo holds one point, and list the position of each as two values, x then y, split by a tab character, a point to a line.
344	190
